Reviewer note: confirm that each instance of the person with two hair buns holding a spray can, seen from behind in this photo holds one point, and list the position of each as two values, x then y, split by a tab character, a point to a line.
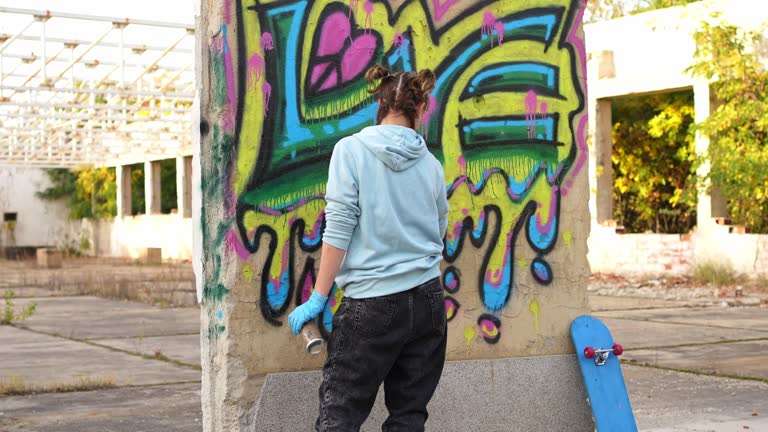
386	217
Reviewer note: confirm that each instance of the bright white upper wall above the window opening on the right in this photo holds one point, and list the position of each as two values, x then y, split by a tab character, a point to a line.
650	52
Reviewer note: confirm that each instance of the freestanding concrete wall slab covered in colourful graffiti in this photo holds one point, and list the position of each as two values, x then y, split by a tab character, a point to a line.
281	83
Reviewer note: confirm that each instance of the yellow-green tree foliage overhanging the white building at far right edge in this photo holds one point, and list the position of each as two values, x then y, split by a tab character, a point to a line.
738	127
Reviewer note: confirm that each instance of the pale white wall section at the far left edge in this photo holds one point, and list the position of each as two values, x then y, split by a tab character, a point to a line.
40	223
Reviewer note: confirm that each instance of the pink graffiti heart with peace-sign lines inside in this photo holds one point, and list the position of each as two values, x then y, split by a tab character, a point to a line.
342	51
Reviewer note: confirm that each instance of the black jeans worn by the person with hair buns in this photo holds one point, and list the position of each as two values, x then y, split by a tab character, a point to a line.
399	340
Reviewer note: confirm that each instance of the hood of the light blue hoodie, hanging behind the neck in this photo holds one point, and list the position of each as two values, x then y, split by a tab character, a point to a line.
398	147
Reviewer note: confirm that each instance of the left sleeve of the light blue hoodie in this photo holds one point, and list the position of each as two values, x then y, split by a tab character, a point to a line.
341	196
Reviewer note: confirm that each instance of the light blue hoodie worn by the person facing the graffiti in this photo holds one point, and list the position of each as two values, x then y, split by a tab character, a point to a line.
387	208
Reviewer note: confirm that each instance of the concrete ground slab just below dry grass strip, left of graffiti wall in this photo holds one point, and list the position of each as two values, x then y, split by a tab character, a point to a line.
86	317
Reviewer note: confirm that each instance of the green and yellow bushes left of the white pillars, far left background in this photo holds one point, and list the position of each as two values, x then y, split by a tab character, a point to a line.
89	193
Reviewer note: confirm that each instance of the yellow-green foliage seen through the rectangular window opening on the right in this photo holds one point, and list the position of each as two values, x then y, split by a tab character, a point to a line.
653	158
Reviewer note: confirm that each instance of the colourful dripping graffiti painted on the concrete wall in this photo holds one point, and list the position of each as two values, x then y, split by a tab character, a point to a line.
506	119
